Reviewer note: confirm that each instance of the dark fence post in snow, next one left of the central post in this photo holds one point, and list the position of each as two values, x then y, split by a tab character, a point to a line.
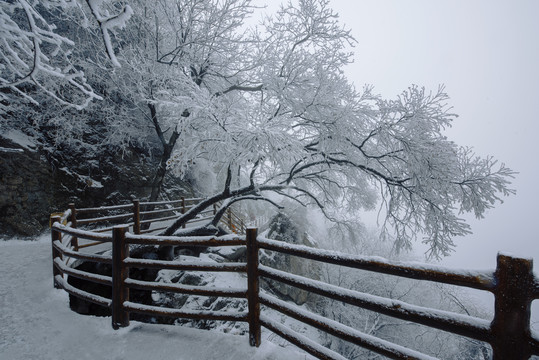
120	272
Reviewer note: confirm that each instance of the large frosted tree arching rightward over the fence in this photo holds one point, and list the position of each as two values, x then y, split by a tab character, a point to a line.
282	118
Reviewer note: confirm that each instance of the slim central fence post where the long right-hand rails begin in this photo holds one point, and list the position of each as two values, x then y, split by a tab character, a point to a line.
253	288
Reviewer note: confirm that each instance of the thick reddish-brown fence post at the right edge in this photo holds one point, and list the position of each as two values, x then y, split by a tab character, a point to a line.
511	324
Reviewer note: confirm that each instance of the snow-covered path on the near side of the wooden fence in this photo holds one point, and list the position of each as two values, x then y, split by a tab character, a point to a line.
36	323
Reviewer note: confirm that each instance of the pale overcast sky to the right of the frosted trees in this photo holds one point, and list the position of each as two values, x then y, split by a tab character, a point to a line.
487	54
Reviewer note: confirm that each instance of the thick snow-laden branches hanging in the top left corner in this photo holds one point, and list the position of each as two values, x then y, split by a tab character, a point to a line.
35	59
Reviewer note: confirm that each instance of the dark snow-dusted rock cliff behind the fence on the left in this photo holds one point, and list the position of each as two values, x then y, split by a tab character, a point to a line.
34	182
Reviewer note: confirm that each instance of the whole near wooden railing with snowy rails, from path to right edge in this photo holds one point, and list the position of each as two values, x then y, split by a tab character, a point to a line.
512	283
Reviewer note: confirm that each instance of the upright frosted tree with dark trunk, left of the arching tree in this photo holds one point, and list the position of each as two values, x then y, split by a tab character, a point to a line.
178	52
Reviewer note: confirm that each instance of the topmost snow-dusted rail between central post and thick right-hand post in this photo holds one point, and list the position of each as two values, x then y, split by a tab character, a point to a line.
472	279
